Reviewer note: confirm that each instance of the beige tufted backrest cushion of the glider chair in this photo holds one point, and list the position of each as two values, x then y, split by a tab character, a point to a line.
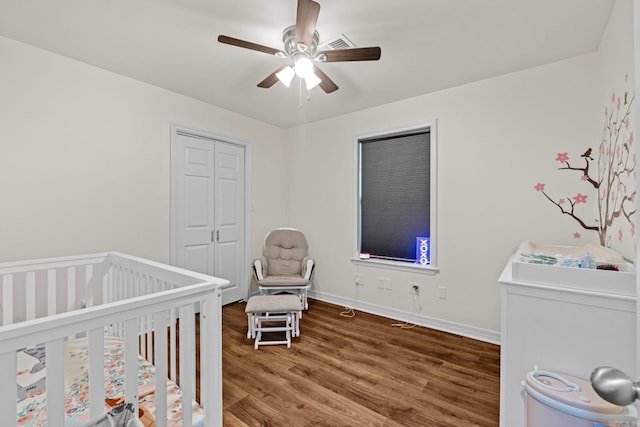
284	249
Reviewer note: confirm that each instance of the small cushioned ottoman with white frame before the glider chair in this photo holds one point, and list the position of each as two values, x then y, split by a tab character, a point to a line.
273	313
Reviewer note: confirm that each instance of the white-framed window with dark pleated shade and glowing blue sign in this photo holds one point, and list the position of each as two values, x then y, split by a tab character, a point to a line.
396	196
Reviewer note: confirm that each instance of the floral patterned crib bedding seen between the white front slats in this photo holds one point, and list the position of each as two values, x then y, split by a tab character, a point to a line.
31	376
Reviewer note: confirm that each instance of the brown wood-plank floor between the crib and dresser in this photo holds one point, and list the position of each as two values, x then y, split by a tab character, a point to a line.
358	371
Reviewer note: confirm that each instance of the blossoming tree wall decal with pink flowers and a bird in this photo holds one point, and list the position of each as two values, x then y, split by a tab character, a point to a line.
614	179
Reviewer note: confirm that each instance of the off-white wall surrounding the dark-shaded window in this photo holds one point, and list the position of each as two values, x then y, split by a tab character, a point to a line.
496	139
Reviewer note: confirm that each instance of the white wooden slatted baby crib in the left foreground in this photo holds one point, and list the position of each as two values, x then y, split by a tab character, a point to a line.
91	299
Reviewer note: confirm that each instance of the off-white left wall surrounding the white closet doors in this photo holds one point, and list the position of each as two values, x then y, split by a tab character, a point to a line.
84	158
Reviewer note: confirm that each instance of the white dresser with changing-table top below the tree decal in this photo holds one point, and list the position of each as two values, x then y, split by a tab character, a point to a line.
562	319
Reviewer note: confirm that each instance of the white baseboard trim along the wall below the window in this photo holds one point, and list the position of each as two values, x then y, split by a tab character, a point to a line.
418	319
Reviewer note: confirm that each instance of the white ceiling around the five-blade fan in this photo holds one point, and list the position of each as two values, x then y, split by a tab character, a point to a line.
427	45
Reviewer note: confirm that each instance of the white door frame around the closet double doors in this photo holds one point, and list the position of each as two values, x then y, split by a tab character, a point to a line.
245	279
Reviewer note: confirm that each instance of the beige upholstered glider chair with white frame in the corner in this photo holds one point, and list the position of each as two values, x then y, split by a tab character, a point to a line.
285	265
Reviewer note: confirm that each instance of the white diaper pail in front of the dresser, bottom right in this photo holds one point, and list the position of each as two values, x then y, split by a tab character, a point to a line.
559	400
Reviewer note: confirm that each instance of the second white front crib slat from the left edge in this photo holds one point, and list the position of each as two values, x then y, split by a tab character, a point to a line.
55	382
